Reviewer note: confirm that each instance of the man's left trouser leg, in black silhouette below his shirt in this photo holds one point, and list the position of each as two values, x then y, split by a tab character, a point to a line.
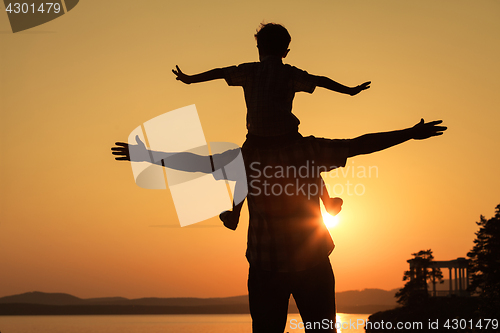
268	294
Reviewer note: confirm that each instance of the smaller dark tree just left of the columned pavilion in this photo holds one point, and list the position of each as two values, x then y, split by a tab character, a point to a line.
416	292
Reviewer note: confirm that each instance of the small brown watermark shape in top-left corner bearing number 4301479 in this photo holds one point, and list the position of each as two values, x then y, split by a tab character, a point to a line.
32	13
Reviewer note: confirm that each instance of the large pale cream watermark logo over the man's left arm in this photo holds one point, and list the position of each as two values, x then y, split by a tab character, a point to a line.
171	150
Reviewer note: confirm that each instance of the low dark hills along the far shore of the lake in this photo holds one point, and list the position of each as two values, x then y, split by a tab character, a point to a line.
33	303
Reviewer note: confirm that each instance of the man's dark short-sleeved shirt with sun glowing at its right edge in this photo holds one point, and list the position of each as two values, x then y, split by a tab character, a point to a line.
286	230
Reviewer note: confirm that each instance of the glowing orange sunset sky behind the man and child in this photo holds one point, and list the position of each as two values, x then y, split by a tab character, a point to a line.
72	219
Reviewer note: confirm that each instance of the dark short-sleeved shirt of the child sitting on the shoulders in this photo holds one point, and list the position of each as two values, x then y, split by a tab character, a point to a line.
269	87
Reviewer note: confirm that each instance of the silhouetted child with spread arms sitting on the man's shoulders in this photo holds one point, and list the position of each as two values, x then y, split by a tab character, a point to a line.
269	87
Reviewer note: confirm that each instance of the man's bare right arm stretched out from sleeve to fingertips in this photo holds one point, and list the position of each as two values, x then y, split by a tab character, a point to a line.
370	143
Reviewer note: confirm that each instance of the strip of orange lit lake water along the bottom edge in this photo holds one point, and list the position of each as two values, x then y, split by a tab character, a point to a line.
157	324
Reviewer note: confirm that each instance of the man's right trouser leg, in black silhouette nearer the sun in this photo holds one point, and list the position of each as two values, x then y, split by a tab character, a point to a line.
314	293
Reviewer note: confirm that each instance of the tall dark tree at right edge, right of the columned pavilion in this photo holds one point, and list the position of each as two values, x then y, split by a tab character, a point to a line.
485	265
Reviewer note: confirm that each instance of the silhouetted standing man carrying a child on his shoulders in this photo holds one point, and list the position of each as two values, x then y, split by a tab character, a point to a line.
288	243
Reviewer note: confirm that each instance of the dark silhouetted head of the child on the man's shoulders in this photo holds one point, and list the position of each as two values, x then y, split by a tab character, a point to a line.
272	39
